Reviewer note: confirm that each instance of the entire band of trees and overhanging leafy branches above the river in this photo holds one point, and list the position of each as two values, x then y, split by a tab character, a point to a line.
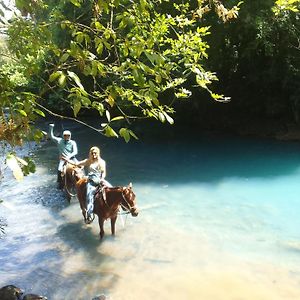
129	60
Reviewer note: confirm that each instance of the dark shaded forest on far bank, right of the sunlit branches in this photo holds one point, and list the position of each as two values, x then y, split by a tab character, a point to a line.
257	59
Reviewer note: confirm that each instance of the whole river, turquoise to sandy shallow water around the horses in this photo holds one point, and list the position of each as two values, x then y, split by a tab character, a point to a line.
219	219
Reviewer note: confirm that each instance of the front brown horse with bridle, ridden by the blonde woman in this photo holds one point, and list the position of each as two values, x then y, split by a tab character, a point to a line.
107	207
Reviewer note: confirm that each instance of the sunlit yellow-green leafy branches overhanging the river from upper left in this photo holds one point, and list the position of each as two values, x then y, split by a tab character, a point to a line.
114	56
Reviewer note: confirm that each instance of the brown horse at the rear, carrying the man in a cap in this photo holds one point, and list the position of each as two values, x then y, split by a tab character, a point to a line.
70	175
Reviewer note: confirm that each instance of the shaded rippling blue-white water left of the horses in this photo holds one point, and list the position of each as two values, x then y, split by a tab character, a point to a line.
43	247
